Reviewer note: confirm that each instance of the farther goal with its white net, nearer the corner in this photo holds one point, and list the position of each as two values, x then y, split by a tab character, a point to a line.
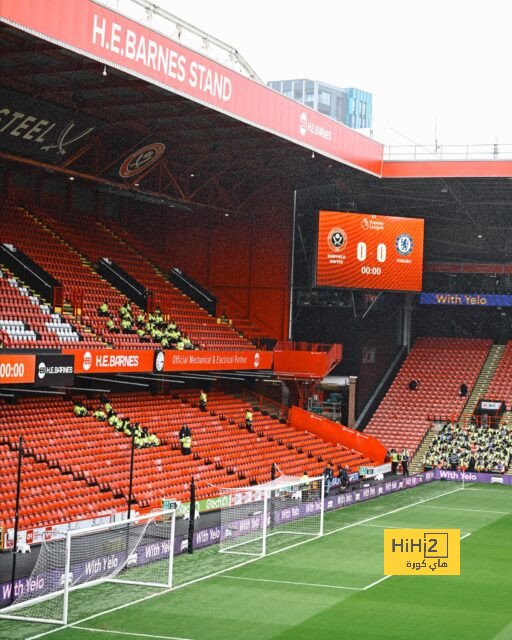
260	519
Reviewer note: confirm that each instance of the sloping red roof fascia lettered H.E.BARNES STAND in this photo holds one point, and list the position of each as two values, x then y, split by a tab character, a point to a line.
100	33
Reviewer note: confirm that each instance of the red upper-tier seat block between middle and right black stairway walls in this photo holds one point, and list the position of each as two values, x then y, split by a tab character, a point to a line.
96	241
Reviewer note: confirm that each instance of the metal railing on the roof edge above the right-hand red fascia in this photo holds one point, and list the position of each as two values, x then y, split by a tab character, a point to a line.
496	151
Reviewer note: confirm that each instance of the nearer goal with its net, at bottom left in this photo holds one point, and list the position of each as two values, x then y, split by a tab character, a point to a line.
138	551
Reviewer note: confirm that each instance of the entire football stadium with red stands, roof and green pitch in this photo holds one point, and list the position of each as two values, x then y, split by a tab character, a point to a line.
255	367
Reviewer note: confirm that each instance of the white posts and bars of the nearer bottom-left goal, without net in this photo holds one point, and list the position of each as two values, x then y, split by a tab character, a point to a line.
70	535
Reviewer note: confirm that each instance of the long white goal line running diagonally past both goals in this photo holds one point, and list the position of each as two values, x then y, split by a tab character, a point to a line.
216	573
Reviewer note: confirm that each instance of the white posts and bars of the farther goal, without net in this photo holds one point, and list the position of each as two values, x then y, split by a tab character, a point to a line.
266	530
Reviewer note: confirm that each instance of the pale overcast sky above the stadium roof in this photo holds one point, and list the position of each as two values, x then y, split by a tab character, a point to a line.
448	59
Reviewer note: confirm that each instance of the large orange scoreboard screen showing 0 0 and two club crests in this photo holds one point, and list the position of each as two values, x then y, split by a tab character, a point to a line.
364	251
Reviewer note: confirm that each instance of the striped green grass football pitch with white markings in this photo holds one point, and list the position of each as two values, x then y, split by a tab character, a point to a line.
323	588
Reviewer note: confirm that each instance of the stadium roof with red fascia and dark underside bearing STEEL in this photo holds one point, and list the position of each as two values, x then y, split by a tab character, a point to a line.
202	135
